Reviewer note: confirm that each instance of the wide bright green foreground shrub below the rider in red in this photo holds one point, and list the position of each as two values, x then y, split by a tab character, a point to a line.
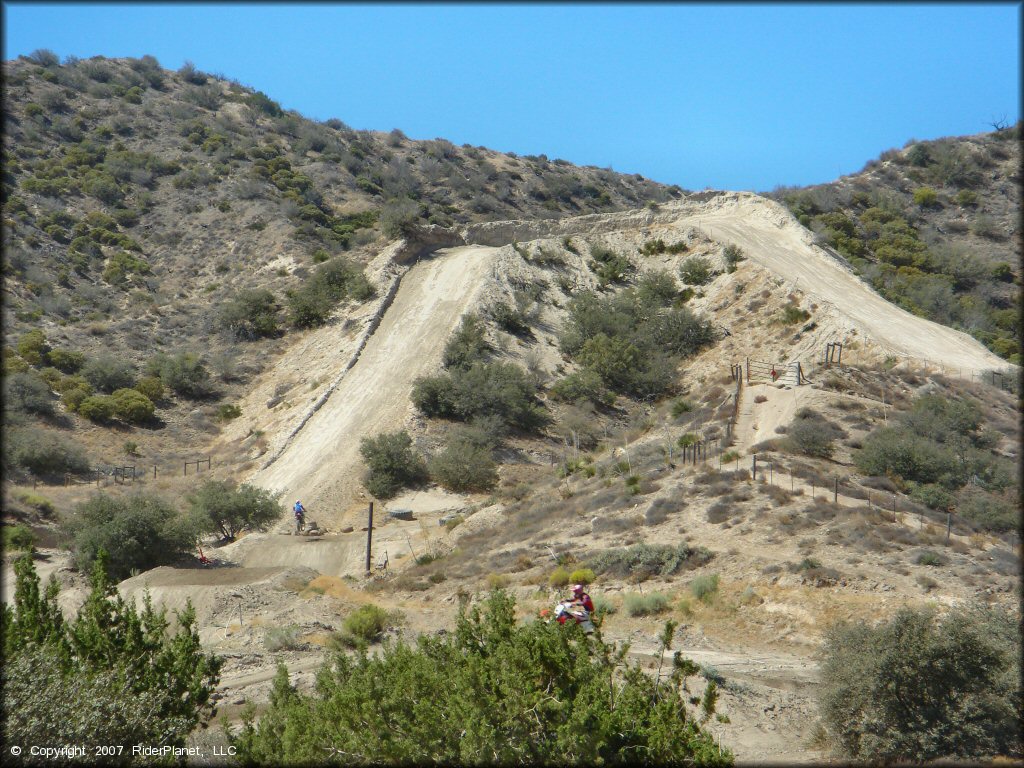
497	674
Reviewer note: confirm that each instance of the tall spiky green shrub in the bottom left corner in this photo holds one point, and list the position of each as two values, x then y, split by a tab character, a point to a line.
112	675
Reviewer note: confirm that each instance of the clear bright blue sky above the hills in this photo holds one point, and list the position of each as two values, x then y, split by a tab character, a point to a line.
729	97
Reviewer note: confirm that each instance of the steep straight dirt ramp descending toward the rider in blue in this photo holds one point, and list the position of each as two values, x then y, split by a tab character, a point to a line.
318	466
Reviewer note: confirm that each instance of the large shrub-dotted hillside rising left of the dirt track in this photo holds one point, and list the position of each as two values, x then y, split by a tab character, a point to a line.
143	205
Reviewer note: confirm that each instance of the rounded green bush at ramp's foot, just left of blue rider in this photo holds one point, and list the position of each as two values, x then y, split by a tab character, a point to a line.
222	507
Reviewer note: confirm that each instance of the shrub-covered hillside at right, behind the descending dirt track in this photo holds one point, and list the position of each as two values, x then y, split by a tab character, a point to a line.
934	228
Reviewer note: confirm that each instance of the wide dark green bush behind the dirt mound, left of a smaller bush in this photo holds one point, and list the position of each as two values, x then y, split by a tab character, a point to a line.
139	533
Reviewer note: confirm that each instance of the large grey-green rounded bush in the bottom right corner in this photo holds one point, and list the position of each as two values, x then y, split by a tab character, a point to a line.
921	688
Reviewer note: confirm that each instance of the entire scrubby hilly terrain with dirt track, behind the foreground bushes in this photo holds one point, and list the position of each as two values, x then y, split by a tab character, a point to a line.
628	388
